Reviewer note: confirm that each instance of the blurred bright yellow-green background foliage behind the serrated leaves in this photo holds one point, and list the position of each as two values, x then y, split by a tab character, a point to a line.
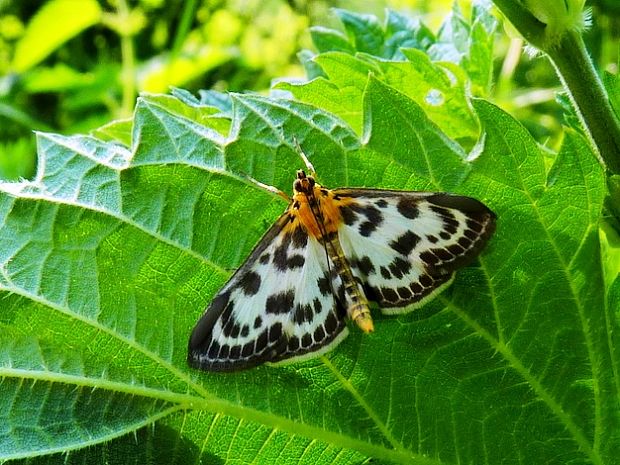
71	66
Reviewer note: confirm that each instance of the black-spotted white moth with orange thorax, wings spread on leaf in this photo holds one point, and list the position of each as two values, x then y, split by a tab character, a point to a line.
324	259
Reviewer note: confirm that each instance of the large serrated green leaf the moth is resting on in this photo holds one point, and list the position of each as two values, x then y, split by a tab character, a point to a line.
110	255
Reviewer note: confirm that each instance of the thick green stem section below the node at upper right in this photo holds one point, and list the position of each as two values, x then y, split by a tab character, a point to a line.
586	91
